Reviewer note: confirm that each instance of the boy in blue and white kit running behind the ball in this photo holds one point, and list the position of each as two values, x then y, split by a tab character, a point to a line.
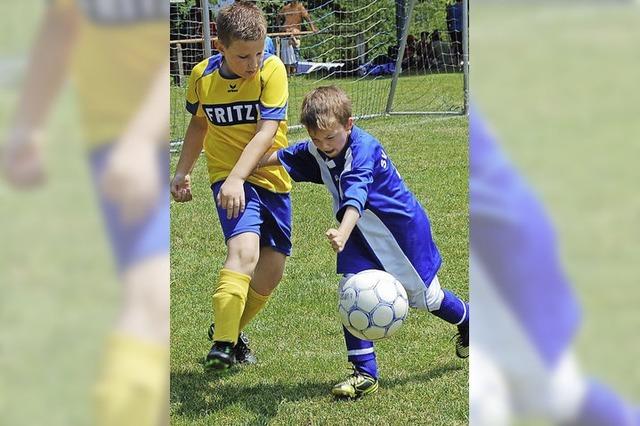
382	224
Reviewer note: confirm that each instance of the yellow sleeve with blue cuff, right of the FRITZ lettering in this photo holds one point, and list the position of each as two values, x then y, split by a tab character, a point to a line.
275	90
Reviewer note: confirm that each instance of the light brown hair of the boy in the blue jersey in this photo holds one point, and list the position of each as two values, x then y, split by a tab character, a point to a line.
325	106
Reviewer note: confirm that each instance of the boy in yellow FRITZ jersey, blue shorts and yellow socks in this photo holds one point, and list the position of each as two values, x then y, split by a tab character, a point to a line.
238	100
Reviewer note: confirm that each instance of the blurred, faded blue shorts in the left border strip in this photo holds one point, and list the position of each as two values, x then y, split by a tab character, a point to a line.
133	242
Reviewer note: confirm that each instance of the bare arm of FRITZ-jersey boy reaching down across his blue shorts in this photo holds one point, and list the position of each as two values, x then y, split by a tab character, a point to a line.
231	195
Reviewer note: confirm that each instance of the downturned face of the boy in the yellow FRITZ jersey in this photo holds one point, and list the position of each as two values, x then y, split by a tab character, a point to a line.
242	58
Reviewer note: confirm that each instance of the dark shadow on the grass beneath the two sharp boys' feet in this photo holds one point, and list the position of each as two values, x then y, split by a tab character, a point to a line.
198	395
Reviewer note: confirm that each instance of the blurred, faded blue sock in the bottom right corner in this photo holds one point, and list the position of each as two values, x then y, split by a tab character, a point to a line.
603	407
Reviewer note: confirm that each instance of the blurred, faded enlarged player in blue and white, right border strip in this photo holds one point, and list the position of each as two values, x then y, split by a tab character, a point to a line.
527	314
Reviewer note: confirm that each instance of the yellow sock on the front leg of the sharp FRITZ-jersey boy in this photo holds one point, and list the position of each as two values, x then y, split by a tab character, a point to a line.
228	304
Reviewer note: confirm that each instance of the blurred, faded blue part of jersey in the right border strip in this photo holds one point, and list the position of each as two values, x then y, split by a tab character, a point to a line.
513	238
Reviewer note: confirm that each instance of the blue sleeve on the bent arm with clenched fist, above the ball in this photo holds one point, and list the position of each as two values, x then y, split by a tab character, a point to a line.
355	180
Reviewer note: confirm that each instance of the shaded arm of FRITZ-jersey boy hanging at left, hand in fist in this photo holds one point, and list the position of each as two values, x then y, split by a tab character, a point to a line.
191	149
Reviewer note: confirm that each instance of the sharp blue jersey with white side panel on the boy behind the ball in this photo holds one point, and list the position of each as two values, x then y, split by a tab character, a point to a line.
393	232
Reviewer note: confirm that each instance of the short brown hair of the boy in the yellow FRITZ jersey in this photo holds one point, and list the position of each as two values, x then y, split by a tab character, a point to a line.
242	20
